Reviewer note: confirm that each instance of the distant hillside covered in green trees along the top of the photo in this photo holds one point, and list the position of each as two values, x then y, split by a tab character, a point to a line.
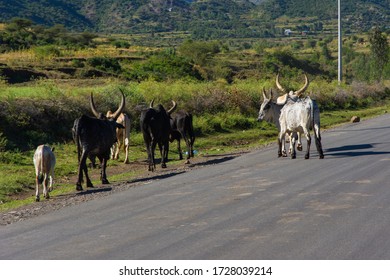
222	17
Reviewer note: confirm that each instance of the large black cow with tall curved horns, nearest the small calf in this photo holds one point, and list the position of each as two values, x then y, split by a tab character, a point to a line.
94	138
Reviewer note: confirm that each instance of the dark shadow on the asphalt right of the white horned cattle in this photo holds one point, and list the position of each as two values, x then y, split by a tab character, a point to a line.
354	150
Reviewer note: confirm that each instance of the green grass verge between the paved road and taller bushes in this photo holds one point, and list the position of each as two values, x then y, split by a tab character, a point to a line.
17	175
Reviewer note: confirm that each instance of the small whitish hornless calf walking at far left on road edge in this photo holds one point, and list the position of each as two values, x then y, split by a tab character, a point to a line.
44	162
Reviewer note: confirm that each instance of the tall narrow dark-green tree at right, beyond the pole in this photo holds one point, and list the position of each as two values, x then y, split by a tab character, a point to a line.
379	51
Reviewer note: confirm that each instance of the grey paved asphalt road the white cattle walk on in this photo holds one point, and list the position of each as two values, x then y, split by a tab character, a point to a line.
255	206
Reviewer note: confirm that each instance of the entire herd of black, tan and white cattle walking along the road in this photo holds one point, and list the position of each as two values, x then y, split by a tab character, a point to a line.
102	136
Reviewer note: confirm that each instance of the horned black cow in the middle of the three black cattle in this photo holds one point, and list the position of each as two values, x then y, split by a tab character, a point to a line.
155	126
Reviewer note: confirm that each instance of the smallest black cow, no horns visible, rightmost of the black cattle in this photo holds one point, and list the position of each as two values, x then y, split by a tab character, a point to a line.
181	127
